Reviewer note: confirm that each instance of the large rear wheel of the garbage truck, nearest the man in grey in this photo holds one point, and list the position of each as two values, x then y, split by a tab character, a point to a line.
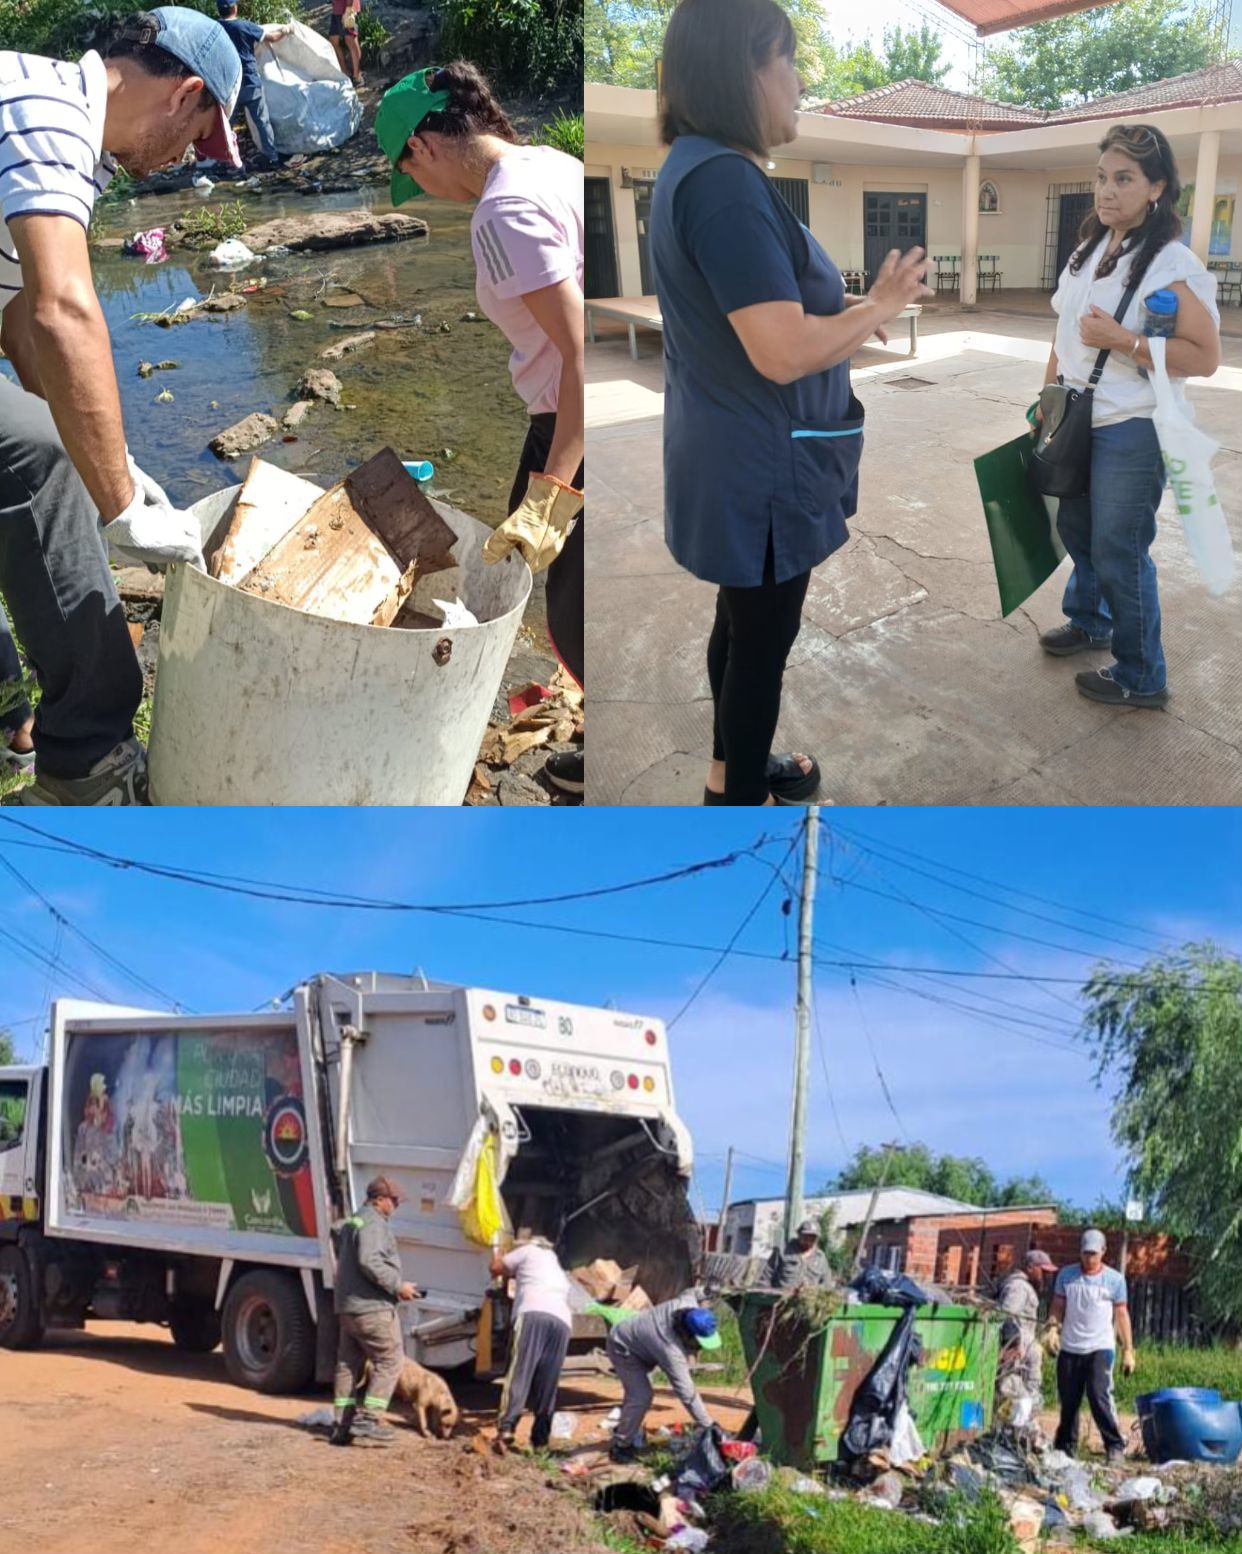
270	1339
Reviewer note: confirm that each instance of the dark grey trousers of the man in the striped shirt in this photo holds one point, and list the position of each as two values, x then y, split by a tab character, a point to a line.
60	594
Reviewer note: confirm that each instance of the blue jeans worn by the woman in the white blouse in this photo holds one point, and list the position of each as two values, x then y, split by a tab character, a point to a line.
1109	535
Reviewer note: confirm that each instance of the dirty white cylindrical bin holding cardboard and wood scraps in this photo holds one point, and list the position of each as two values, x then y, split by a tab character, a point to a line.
257	703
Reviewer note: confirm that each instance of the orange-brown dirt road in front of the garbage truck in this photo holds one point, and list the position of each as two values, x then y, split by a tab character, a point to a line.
116	1441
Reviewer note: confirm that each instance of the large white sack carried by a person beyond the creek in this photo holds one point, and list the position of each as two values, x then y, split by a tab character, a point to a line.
312	105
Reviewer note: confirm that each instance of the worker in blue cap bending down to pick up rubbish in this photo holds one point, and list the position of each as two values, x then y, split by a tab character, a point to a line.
658	1339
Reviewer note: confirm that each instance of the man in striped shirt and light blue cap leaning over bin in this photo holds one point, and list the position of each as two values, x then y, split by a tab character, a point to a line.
69	489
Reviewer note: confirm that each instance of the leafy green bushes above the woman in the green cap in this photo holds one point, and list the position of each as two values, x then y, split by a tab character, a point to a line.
531	44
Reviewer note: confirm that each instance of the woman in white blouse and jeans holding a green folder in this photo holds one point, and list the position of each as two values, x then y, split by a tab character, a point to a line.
1134	232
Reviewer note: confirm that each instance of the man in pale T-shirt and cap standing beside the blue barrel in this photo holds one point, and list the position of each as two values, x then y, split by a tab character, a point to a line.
1089	1301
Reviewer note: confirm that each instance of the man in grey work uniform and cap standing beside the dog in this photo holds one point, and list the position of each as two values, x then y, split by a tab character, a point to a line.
369	1287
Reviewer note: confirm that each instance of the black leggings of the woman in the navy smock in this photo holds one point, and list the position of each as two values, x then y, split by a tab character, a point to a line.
752	639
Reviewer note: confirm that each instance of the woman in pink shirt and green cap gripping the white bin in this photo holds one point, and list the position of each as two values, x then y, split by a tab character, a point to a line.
447	131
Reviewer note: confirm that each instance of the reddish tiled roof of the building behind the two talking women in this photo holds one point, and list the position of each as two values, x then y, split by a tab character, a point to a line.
916	102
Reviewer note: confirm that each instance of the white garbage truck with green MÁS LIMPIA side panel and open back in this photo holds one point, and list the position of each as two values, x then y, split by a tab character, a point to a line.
192	1171
